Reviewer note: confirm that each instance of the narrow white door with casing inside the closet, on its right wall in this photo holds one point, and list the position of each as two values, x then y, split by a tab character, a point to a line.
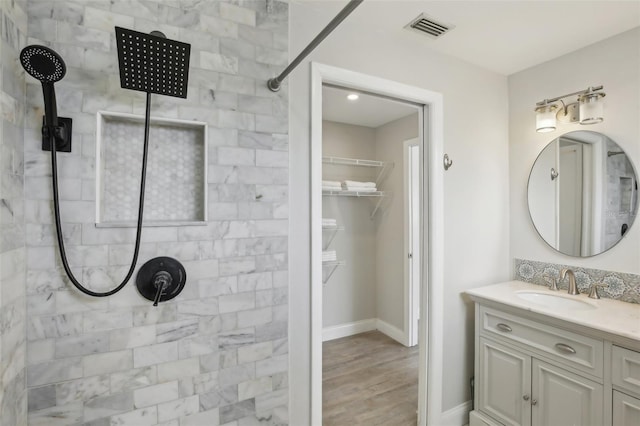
412	239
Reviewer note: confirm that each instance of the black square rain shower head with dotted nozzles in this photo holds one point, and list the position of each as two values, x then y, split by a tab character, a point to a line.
152	64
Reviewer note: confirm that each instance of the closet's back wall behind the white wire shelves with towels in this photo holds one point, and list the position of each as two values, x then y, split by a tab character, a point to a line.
350	293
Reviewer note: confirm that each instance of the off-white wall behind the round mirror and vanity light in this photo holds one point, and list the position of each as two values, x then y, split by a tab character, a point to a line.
614	63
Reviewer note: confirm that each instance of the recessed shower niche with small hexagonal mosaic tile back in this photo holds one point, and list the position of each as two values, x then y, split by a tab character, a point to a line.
176	192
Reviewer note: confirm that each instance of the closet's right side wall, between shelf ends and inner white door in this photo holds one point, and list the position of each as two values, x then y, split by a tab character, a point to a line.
390	246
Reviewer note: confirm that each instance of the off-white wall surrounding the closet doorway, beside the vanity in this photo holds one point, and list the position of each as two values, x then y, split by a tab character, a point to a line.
476	187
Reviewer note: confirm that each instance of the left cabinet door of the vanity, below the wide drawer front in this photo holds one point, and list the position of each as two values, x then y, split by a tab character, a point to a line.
505	382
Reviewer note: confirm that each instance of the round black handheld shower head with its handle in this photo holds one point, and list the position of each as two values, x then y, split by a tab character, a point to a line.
47	66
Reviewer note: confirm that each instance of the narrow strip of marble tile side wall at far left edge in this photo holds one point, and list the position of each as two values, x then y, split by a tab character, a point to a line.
13	401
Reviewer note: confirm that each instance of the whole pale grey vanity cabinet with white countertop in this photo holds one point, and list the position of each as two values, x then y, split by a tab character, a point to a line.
544	365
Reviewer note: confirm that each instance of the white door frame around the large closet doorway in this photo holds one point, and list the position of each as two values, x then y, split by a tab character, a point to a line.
431	133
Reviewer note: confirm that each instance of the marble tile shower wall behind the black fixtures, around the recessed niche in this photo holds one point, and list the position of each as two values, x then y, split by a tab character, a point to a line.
218	353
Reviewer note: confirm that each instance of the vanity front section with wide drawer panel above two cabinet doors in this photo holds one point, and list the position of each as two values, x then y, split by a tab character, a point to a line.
519	383
